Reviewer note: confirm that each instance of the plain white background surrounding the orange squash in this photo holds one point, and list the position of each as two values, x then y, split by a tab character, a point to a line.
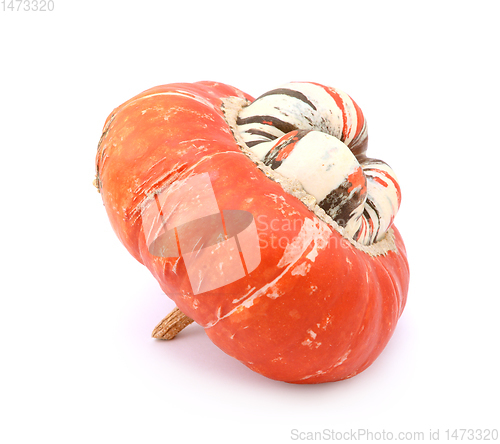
77	360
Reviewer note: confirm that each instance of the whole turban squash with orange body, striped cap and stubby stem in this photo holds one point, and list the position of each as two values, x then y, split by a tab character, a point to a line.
263	220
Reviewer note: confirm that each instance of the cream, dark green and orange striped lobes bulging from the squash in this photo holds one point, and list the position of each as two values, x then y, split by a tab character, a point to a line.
313	134
